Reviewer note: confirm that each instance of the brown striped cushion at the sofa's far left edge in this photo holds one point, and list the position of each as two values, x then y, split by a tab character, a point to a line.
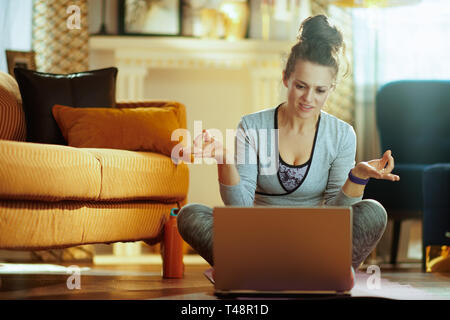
12	118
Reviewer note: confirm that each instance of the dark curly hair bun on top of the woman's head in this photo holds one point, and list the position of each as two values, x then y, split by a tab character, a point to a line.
317	29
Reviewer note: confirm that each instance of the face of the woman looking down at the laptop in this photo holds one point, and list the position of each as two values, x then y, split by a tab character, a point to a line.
309	86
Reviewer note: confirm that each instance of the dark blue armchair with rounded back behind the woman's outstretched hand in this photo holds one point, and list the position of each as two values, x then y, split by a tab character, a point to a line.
413	119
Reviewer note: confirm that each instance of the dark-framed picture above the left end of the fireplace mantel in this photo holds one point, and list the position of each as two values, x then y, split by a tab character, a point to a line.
150	17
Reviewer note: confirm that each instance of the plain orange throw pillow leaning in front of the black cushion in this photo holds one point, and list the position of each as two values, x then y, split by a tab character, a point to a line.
136	129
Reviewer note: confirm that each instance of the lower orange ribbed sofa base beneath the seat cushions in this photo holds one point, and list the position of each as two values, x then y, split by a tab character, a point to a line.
37	225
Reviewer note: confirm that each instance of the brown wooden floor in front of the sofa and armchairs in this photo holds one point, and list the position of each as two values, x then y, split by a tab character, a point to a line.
105	282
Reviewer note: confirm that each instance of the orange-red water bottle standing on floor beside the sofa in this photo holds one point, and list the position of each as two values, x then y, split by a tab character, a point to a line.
173	266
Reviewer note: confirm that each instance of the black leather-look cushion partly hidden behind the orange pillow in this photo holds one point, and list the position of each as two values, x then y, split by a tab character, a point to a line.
41	91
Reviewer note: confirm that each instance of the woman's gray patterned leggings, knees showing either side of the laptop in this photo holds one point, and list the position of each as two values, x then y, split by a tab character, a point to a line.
195	224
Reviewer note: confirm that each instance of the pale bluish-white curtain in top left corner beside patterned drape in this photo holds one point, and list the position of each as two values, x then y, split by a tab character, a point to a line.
15	27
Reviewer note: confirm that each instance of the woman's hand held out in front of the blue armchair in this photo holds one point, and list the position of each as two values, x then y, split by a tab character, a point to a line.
377	168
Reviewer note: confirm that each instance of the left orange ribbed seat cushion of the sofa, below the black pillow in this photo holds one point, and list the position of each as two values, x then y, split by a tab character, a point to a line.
34	171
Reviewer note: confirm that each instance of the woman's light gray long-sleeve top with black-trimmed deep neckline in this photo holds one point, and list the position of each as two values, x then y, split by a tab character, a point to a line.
257	161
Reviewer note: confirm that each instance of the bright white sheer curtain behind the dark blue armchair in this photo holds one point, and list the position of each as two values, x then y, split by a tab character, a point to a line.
409	42
